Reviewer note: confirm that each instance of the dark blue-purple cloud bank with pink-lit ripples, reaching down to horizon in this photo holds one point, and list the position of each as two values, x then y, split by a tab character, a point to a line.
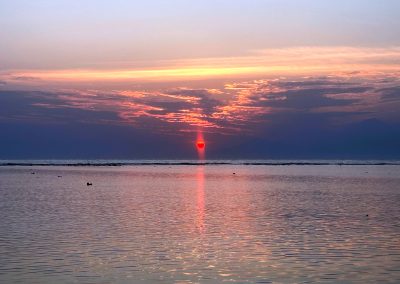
281	117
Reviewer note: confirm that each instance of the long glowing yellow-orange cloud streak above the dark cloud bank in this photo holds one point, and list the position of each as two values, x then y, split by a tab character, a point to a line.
271	62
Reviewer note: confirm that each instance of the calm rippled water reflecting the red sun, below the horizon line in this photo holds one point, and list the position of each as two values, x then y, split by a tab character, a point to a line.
264	224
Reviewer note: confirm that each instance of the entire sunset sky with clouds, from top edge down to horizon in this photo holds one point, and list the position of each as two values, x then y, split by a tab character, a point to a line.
257	79
